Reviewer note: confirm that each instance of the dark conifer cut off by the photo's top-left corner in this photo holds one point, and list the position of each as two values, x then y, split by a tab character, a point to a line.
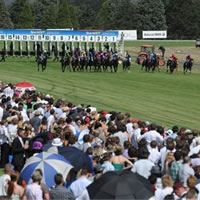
5	21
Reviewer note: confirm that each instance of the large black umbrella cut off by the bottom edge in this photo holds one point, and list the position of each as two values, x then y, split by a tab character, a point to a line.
120	185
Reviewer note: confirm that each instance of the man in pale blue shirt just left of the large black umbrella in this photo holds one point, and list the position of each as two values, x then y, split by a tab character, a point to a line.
78	186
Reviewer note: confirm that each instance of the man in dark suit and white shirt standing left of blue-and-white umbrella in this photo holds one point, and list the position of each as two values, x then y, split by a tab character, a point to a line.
18	149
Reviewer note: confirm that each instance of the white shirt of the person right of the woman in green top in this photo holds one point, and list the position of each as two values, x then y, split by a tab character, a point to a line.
143	167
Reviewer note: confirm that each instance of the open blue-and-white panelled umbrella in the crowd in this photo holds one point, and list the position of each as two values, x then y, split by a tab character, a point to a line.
50	164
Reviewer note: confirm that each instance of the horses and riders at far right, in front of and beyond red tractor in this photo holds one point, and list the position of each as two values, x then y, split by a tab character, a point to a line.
152	65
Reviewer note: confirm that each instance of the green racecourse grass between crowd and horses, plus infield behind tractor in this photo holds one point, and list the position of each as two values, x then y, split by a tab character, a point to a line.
158	97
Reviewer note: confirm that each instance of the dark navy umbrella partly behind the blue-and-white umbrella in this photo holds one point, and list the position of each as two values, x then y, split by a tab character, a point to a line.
77	158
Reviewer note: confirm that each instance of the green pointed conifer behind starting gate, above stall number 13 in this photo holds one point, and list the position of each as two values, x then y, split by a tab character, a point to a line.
26	19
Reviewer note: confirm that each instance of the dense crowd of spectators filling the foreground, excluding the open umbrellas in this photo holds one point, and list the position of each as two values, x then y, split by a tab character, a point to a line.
168	157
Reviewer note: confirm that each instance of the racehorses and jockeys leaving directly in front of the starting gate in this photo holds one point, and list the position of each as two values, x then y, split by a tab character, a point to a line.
94	63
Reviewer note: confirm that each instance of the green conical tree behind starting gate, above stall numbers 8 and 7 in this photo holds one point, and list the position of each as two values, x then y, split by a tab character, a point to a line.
63	18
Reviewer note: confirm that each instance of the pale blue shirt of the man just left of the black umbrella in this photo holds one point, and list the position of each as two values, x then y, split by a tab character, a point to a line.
78	186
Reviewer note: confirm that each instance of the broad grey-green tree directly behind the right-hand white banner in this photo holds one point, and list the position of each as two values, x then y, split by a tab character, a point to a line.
150	15
